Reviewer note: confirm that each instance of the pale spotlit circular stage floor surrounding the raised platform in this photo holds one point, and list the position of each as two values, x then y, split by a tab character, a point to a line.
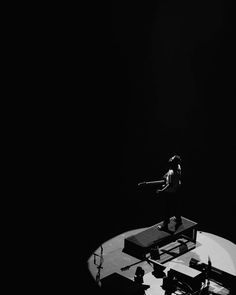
222	254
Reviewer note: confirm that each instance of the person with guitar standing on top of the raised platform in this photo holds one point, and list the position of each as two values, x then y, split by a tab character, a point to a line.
171	192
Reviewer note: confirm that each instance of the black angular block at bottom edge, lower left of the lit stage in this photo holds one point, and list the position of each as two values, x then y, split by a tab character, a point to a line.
116	284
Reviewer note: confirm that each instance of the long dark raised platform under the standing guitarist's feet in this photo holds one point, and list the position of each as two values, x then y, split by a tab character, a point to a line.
140	244
